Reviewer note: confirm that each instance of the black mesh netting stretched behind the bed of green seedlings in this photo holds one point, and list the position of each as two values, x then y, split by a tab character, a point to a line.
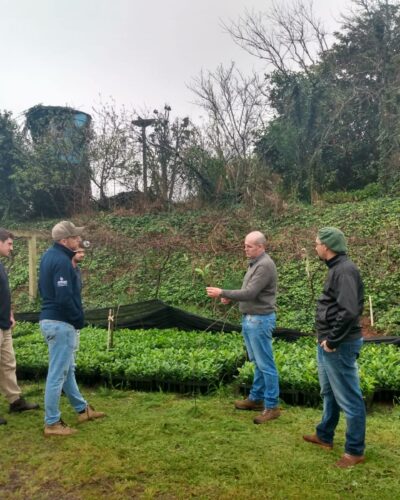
157	314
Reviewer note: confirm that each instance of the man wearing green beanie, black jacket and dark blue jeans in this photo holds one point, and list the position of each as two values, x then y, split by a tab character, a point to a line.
339	342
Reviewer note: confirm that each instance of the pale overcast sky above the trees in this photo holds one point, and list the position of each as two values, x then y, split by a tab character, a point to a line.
142	53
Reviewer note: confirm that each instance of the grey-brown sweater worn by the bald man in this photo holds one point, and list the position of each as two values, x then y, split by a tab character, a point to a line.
258	292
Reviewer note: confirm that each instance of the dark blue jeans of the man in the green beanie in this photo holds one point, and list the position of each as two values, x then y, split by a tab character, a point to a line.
340	389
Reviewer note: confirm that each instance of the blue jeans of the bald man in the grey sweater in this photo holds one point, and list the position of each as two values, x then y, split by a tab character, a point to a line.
257	333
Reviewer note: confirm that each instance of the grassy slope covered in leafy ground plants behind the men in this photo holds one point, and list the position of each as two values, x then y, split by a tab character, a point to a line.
173	256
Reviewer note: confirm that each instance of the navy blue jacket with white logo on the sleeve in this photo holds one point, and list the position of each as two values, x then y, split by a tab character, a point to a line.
59	287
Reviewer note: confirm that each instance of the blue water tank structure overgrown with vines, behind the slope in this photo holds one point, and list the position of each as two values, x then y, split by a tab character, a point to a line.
60	137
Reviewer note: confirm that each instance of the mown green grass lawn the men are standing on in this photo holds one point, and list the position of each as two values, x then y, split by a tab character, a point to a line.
166	446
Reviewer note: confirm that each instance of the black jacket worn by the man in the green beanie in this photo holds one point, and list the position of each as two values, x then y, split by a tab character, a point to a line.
341	304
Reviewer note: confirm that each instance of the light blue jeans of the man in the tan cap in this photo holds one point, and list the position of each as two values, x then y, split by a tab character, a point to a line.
61	340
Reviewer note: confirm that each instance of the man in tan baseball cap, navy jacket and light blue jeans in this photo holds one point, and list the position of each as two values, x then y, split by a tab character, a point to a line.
60	317
